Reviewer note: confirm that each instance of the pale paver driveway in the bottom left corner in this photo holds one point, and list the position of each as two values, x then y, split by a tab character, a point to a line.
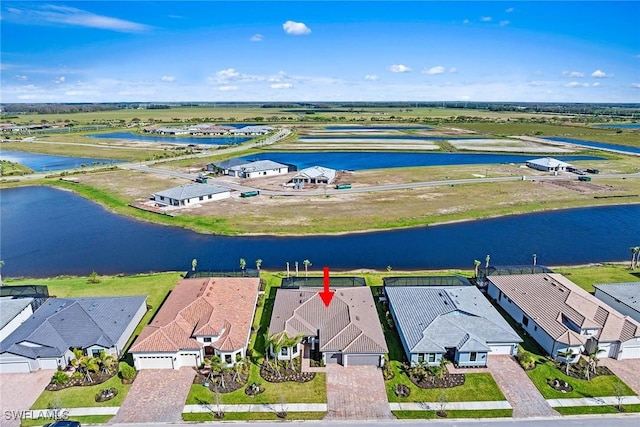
19	391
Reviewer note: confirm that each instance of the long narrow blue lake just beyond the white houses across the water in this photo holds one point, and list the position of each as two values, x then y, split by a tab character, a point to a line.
378	160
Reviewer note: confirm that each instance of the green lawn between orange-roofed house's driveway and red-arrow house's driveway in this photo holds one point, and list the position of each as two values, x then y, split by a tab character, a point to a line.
310	392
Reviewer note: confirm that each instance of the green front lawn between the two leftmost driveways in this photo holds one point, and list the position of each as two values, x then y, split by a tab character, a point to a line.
82	397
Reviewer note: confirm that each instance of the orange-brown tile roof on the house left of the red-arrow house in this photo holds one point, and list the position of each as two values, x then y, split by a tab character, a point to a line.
203	306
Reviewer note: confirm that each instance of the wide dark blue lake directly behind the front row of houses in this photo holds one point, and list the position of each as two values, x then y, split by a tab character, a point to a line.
49	232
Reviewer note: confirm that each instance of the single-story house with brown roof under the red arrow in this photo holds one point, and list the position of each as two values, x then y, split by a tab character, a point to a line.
348	331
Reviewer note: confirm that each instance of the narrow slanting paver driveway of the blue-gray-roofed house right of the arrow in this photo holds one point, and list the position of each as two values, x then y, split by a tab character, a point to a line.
523	396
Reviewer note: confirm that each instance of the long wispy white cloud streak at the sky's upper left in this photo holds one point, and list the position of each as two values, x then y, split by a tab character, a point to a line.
76	17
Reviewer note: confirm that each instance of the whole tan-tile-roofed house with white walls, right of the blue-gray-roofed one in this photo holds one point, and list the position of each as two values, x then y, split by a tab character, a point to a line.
562	317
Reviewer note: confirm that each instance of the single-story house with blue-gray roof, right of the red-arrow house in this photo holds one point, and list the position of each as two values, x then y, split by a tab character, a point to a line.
454	322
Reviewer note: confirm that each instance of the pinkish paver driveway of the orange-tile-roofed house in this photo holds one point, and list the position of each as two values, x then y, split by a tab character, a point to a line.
157	395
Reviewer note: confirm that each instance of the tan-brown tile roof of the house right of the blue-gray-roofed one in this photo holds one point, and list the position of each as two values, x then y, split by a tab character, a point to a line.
550	298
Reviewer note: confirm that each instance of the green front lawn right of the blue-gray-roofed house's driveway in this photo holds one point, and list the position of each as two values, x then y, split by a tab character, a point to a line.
604	385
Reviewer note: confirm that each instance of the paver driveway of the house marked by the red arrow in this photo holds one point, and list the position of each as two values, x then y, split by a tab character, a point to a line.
356	393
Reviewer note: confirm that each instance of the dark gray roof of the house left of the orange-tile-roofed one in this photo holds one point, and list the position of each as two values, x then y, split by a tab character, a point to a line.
62	323
